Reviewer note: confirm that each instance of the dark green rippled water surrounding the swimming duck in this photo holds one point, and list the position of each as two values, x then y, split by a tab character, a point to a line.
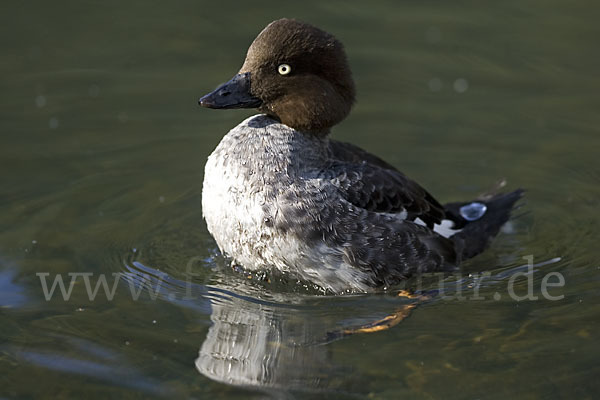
101	159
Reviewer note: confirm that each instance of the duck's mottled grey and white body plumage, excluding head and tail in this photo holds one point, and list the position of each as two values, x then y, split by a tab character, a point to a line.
274	197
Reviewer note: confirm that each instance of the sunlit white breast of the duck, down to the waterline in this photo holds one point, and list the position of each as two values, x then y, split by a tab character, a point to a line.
246	180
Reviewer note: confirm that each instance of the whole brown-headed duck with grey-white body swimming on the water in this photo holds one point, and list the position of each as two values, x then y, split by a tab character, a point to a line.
279	194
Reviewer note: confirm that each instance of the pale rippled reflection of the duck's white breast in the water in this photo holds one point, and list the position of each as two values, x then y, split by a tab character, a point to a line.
263	344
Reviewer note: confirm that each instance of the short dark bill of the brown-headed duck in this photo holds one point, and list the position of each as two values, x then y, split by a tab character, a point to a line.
232	94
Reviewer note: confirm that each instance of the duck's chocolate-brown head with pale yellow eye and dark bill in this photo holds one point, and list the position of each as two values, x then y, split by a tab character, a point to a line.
294	72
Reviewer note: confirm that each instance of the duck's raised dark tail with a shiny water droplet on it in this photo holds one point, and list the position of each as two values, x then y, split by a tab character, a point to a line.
479	221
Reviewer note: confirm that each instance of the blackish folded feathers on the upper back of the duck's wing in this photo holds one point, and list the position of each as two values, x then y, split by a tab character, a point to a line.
370	183
